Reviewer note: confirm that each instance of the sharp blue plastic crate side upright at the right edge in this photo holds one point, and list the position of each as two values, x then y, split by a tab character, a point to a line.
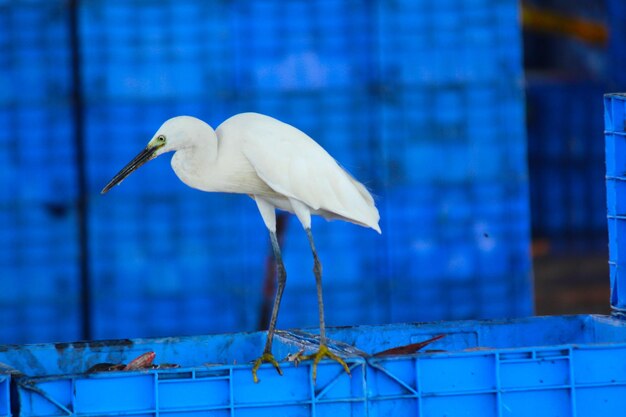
615	143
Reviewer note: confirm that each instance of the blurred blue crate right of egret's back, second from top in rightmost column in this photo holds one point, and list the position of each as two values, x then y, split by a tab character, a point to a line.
428	139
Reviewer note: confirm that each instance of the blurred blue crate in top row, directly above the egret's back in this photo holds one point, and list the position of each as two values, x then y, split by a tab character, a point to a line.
302	46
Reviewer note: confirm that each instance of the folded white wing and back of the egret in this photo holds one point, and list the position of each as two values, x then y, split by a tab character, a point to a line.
295	166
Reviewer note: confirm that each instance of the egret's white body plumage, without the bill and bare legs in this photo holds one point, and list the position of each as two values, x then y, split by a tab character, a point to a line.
269	160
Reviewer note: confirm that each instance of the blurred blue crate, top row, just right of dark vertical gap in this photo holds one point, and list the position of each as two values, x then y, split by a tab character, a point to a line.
133	51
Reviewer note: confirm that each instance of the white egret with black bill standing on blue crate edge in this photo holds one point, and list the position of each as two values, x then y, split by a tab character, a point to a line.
277	165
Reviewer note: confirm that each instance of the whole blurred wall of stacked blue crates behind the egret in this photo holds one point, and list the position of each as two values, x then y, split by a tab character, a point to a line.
422	101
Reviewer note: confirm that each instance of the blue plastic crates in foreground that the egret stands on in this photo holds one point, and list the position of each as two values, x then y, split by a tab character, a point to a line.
541	366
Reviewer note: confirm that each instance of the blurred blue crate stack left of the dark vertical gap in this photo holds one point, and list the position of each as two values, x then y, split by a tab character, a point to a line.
38	188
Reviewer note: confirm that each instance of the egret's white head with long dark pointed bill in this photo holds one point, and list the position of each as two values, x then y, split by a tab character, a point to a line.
177	133
